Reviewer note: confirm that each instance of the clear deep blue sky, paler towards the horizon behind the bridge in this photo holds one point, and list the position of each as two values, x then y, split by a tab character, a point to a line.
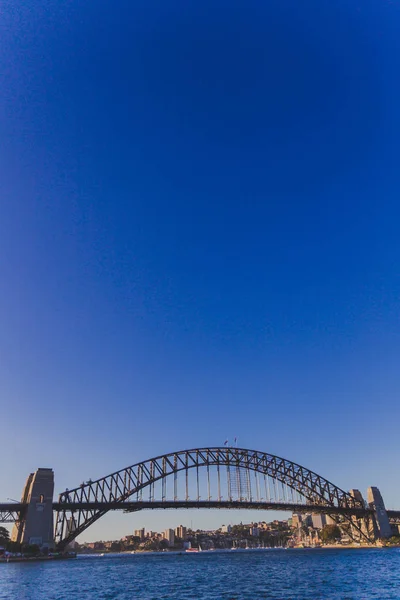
199	237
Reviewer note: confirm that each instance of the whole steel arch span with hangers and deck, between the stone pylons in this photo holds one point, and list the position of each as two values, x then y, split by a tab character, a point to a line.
206	478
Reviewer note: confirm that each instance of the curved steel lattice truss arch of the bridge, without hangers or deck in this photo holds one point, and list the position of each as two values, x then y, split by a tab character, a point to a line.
118	487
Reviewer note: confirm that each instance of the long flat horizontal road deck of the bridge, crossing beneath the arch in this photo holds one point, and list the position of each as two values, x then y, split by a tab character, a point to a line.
9	512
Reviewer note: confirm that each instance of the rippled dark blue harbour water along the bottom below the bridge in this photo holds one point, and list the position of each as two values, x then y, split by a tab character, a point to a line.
276	574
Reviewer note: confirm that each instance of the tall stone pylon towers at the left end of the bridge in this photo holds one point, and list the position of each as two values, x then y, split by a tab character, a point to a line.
36	527
